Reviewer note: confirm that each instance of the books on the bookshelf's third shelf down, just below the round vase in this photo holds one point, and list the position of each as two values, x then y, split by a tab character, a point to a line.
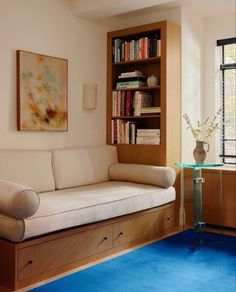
132	103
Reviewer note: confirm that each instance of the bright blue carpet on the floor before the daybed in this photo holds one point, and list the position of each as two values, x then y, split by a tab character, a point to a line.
168	265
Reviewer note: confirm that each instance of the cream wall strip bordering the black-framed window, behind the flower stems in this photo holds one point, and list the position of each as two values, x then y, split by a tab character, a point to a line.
217	27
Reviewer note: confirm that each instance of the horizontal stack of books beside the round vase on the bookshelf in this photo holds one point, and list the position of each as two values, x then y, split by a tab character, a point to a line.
131	80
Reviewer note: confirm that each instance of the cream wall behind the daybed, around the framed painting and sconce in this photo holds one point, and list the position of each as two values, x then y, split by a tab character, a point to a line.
49	27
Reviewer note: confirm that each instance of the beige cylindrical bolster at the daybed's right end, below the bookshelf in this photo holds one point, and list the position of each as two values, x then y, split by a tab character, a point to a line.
147	174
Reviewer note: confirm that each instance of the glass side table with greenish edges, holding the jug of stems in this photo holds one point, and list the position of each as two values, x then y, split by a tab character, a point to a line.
197	195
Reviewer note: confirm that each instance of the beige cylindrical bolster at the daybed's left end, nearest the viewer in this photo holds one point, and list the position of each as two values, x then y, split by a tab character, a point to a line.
18	201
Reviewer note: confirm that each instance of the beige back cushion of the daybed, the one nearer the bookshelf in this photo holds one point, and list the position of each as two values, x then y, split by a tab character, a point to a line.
82	166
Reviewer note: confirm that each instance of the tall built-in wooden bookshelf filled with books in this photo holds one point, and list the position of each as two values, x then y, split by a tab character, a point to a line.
143	116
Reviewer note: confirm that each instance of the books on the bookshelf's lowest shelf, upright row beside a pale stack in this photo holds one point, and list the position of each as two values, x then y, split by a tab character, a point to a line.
126	132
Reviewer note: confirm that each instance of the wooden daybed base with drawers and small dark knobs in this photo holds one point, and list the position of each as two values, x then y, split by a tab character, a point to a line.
34	260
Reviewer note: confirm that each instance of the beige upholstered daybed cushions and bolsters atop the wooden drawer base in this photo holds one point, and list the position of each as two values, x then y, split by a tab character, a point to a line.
46	191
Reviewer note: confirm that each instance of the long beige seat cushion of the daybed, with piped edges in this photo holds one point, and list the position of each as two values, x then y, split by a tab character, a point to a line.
78	206
